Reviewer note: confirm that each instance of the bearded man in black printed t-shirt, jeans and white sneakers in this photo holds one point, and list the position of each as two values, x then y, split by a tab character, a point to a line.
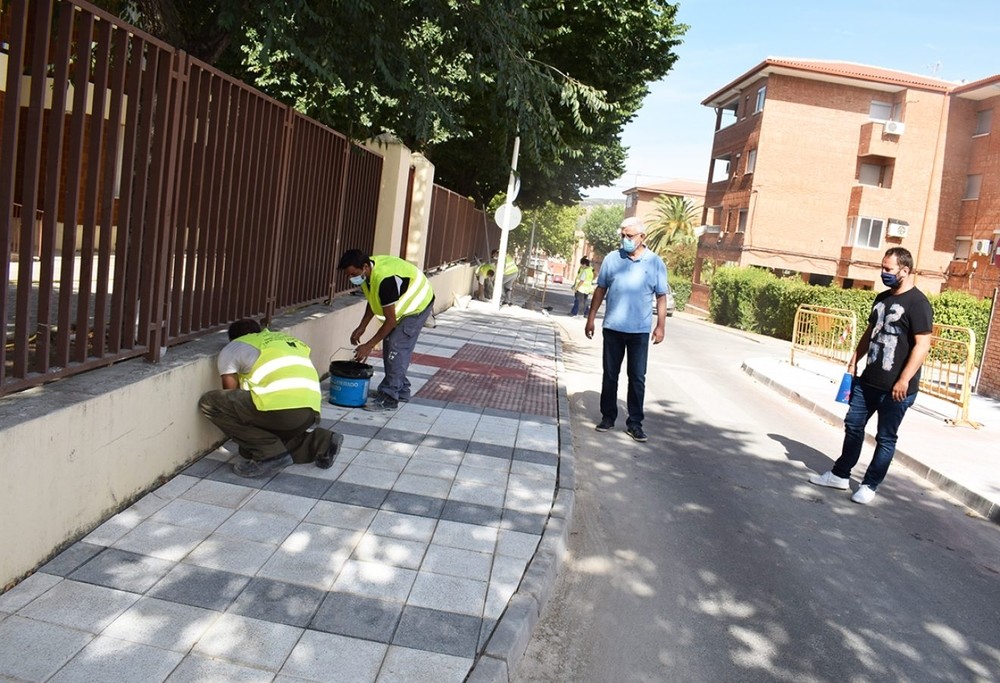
896	343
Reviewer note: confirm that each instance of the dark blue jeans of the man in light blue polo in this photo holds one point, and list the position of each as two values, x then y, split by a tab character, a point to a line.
616	345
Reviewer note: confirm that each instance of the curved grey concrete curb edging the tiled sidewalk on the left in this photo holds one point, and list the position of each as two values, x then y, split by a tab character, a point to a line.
510	639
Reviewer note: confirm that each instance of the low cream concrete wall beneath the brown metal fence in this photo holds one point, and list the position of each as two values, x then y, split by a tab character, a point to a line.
80	449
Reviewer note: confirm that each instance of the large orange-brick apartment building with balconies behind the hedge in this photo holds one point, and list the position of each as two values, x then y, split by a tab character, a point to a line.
818	167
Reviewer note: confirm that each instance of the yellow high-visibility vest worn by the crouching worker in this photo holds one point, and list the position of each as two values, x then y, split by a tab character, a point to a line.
283	376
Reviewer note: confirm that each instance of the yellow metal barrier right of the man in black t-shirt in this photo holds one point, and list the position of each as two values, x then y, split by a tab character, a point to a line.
947	370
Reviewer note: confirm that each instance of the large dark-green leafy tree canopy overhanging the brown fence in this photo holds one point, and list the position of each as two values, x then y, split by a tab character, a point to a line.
454	80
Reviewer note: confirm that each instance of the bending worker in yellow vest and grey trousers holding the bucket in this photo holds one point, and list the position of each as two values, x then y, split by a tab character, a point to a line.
400	295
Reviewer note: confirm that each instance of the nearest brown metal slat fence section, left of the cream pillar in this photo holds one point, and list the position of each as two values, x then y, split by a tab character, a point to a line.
170	199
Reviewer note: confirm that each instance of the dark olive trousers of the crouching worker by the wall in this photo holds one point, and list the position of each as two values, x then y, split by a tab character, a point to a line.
264	435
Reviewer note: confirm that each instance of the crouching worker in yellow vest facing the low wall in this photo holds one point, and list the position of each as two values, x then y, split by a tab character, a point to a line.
269	400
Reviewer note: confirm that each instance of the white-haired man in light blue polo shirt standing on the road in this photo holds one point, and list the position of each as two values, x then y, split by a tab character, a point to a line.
629	279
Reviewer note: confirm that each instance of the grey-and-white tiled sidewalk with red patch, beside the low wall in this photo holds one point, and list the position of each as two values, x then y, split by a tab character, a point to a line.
424	554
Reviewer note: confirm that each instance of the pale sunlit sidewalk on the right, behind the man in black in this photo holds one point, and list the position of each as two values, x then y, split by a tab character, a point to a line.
962	461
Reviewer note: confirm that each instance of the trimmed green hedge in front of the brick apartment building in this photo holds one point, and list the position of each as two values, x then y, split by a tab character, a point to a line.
756	300
